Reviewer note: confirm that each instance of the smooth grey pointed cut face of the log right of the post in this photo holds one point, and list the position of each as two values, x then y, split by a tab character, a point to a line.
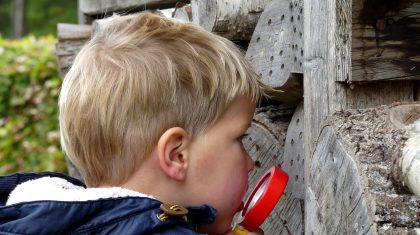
335	194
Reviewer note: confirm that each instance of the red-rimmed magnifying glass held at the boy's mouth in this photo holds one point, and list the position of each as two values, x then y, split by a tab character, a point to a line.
262	200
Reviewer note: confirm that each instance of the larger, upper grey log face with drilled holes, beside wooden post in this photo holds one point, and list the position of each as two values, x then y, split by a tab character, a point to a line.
276	47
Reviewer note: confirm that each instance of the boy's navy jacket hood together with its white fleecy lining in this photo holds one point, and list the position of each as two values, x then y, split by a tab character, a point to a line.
52	205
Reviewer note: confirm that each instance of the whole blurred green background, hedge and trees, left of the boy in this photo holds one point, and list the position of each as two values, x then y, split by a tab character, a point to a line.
30	83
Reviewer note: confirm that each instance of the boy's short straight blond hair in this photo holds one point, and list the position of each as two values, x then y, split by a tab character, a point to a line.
135	79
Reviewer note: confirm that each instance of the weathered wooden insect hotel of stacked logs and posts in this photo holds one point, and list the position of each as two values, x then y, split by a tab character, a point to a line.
344	120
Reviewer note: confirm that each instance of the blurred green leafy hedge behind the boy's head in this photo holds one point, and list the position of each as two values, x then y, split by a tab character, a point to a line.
29	89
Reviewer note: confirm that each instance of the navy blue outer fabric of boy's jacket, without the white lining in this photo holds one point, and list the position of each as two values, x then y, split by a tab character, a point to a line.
125	215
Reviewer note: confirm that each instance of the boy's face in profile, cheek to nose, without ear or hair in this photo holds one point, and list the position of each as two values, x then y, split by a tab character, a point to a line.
220	165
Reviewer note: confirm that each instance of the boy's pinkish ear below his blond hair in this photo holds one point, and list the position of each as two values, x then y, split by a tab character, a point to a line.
172	152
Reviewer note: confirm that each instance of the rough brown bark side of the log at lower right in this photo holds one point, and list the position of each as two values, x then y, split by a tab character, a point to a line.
373	138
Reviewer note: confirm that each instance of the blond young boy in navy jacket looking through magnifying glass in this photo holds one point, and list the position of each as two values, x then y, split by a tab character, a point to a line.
152	113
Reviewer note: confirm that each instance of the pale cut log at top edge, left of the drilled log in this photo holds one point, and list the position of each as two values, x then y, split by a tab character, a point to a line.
233	19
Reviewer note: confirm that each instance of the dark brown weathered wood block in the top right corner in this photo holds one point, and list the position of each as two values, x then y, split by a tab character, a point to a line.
385	40
